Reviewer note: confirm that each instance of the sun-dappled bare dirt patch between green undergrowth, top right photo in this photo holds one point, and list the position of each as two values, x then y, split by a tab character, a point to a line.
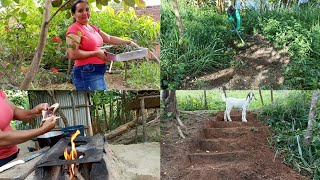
258	64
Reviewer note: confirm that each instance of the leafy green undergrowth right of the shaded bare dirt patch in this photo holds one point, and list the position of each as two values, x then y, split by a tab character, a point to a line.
297	30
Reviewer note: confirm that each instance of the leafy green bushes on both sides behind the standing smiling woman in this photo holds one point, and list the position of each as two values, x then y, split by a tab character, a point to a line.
21	25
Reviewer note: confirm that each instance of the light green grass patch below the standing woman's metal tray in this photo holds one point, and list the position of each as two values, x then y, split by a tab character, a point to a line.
145	74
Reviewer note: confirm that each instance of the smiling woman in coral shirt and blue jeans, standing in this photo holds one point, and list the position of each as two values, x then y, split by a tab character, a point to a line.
86	40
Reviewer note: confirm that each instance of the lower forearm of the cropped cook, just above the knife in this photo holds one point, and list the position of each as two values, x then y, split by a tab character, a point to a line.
19	136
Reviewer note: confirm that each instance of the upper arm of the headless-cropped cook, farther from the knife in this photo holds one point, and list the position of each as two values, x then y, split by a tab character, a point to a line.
22	114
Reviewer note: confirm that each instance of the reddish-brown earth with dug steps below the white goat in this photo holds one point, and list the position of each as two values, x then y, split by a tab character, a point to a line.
215	149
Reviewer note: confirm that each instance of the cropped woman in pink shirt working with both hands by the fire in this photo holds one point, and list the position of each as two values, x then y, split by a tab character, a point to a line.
8	137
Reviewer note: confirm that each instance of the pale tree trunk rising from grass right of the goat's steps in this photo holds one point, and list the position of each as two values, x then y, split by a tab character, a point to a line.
312	114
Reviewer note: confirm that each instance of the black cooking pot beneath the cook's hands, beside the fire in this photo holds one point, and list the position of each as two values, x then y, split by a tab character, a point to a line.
49	138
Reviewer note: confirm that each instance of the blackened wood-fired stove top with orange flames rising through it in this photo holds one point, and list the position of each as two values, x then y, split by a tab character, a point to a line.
63	161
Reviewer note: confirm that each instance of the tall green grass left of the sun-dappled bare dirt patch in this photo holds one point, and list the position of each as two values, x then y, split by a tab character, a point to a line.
202	48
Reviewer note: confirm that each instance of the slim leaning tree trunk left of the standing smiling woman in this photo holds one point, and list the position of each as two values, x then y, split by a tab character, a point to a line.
40	48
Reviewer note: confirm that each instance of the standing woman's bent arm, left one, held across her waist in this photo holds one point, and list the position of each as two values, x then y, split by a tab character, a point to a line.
73	51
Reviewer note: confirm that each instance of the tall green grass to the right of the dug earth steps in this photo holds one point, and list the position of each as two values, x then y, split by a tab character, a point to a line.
288	119
